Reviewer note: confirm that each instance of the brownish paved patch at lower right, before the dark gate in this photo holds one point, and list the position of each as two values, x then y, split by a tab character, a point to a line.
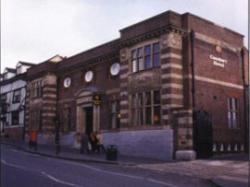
224	170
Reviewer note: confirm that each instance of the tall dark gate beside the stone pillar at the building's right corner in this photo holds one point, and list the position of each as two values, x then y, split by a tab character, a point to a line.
203	134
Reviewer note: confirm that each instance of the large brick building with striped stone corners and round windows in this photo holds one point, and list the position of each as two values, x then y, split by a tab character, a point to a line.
170	86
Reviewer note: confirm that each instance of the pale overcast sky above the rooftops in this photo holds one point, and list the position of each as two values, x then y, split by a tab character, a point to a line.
34	31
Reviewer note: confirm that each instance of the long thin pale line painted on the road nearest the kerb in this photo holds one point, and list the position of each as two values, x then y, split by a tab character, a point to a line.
123	175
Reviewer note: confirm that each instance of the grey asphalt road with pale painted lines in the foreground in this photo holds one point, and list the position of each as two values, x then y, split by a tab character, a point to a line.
21	169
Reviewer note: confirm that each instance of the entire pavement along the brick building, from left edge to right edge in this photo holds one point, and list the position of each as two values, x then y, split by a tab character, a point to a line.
224	170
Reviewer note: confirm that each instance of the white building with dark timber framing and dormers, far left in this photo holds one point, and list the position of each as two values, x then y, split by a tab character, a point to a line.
12	95
